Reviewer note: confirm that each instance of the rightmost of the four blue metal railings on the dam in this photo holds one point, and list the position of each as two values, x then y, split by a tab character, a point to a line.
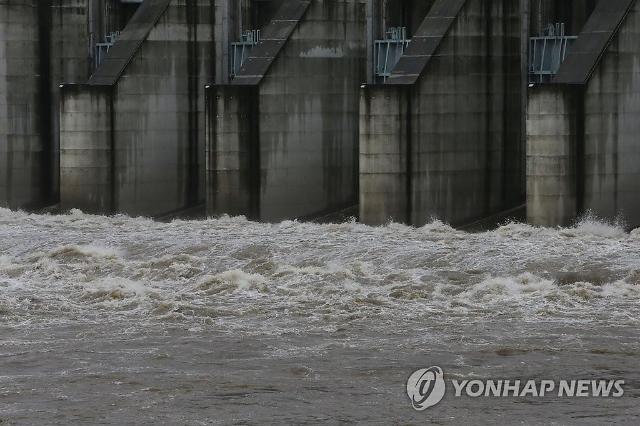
547	52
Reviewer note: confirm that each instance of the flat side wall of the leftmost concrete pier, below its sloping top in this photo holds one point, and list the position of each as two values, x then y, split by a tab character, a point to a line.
159	114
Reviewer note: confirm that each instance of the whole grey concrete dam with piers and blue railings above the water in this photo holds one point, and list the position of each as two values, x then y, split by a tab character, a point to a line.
282	109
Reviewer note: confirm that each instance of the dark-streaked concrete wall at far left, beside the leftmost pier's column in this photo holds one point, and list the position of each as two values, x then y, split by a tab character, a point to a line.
42	44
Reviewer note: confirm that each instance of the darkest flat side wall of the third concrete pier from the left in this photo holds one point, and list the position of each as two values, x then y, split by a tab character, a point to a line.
467	119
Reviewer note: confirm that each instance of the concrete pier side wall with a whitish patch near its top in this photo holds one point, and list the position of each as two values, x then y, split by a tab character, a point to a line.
309	114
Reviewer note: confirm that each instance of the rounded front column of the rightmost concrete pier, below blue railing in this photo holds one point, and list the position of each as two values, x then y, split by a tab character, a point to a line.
552	133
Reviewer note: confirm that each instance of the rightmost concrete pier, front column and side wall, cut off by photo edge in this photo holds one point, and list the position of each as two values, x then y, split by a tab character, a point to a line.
604	84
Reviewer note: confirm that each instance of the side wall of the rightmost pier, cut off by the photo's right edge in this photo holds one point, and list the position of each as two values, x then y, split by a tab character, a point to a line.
612	128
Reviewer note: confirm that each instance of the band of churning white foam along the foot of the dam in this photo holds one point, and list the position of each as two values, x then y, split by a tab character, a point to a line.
229	268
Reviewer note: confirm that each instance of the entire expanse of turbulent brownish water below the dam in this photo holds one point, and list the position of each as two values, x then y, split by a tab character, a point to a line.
121	320
